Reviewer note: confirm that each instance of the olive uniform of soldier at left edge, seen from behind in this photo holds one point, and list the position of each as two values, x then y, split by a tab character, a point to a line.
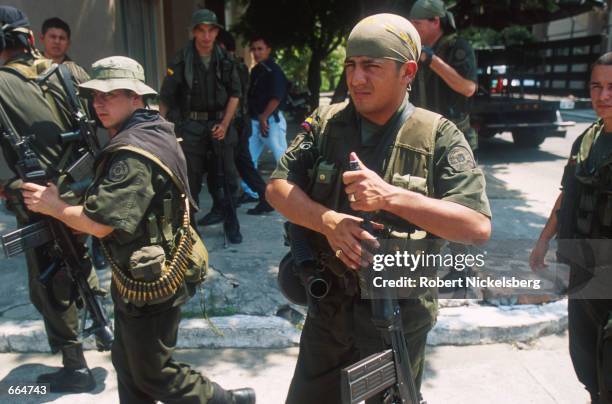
32	113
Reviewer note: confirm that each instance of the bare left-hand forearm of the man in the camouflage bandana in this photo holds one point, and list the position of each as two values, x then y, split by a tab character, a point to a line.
296	205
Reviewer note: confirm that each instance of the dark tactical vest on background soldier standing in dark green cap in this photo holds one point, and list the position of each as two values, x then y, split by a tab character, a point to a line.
195	81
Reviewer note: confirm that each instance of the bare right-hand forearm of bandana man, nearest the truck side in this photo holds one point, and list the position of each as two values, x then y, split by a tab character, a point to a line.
448	220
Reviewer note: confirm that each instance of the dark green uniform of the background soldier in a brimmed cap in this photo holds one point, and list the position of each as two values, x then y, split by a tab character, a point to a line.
196	92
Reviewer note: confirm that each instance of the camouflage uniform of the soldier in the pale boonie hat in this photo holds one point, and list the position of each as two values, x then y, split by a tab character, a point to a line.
127	191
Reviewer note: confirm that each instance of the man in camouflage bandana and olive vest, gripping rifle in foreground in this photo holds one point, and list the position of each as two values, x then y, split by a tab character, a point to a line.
402	152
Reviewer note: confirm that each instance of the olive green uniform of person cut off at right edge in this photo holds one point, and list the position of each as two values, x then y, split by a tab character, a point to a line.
587	318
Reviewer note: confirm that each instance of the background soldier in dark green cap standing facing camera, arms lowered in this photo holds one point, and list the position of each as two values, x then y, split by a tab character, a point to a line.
200	94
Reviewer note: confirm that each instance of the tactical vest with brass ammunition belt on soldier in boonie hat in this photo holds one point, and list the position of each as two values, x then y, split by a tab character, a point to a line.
185	257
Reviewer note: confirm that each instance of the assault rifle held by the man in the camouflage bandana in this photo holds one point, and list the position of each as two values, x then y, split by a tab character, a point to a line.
388	372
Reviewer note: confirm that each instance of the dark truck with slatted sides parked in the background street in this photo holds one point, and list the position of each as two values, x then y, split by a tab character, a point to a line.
521	90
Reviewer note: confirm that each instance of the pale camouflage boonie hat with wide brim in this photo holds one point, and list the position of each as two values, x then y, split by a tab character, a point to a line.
115	73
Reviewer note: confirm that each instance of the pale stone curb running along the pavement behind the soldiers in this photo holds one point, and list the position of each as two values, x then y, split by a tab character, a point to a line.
464	325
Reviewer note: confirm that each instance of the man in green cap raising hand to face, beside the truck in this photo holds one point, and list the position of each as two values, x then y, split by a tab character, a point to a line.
448	75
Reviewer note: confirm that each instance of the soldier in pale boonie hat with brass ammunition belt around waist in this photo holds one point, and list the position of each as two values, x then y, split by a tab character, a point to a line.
138	205
